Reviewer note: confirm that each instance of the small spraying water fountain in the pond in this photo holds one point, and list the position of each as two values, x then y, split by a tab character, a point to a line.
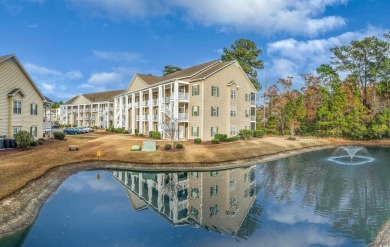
351	155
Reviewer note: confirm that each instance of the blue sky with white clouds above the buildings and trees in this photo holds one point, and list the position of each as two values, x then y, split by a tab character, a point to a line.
72	46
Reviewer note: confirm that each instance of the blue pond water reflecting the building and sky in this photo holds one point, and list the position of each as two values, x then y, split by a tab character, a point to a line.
304	200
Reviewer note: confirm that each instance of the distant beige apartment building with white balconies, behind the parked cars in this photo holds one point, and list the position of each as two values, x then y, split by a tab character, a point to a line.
94	109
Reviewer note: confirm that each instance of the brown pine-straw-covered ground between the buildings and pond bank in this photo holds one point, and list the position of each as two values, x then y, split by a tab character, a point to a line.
19	167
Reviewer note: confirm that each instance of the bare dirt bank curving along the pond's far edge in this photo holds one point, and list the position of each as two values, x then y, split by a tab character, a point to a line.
20	209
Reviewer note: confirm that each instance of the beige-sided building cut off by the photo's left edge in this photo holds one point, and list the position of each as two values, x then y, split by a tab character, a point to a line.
21	102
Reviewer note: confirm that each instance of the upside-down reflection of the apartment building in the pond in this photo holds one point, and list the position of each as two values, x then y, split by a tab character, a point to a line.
215	200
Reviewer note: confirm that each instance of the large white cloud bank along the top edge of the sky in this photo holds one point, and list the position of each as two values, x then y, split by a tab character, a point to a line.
263	16
